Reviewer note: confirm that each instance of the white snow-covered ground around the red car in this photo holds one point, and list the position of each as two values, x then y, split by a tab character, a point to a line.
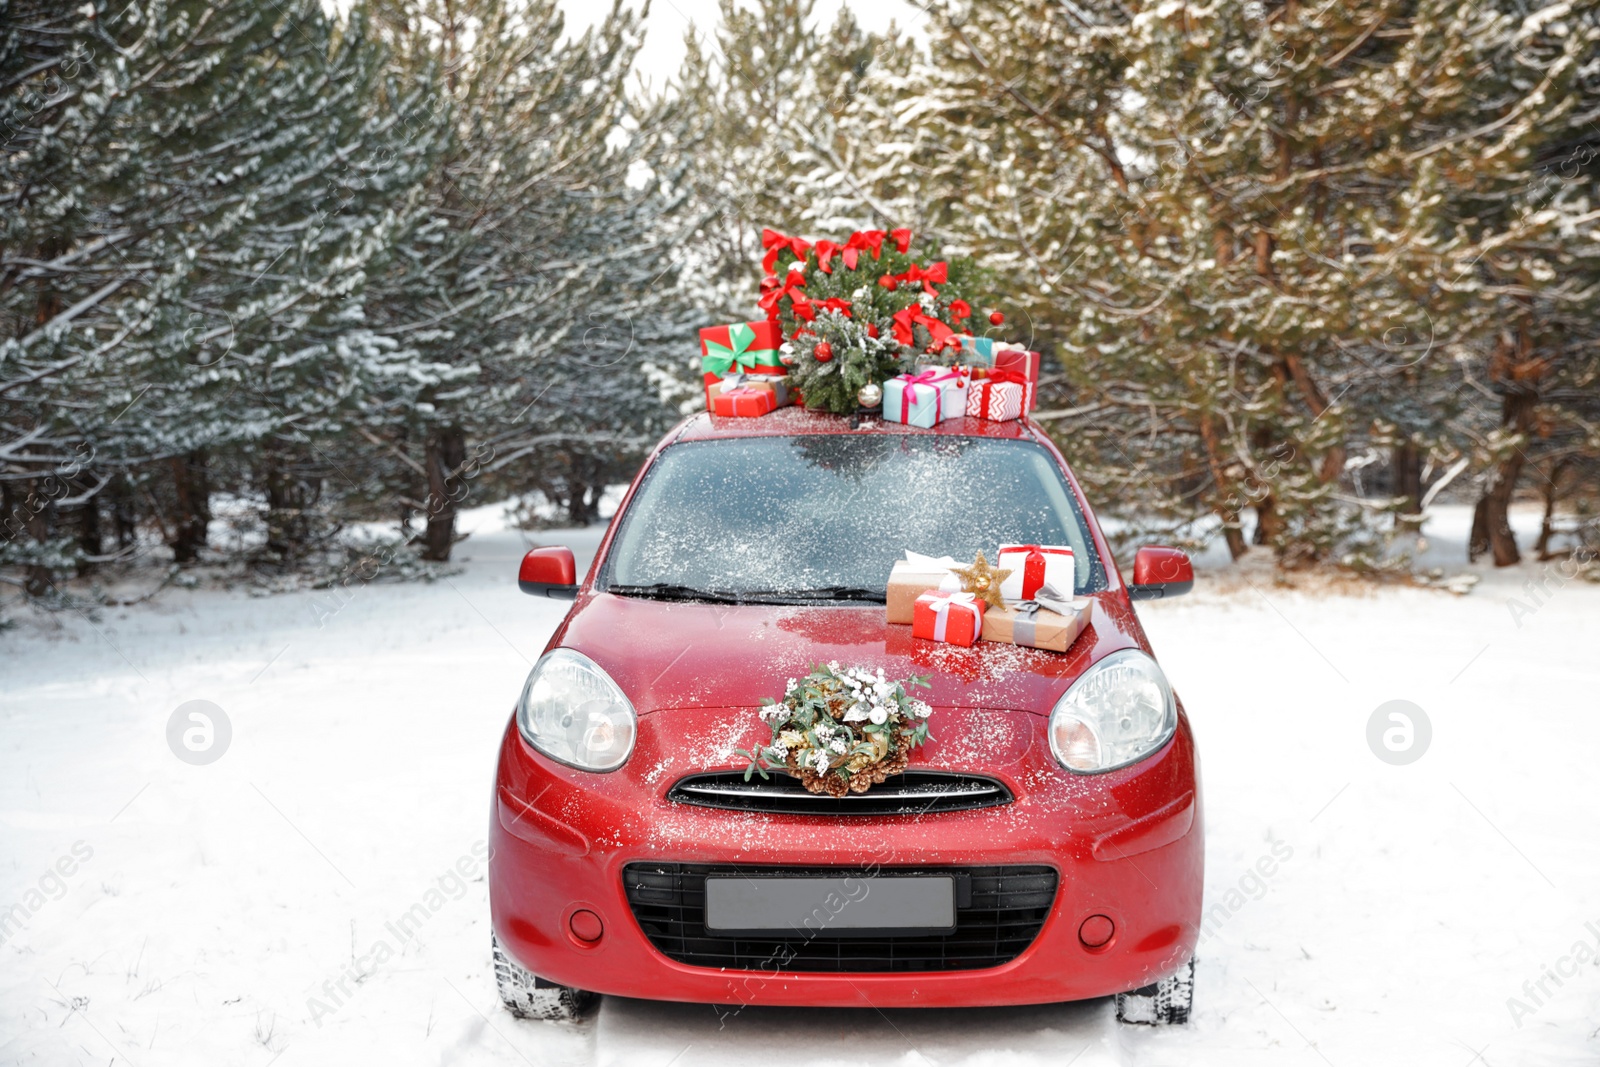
175	914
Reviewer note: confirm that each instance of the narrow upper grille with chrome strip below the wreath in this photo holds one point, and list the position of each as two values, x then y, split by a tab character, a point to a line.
910	794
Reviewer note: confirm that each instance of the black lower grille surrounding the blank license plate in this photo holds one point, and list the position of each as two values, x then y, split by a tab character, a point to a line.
999	914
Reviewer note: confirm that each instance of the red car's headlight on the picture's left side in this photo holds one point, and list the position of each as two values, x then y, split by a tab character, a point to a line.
574	713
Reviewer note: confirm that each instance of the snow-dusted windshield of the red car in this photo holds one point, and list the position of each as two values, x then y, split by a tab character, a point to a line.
825	518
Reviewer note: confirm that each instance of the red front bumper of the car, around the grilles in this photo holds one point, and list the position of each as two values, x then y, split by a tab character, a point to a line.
1127	845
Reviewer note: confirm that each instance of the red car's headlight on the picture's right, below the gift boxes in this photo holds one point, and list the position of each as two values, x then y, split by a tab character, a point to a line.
1116	714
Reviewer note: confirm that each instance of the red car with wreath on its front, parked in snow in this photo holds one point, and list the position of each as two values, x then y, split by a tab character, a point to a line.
1044	845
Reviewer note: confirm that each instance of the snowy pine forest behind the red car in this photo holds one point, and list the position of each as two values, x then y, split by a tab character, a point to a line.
1298	270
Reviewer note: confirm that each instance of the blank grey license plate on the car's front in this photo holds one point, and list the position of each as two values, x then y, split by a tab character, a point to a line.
842	906
